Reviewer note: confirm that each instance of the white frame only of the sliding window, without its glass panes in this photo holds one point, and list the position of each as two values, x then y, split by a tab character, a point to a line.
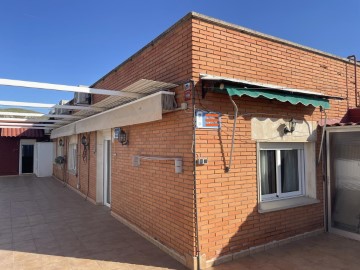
301	168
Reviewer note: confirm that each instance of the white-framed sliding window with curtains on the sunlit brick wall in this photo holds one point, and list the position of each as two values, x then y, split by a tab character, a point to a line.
281	170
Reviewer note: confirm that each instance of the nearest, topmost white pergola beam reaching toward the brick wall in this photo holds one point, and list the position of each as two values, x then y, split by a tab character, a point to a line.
67	88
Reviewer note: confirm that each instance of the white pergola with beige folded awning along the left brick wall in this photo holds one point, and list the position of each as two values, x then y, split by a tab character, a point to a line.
65	124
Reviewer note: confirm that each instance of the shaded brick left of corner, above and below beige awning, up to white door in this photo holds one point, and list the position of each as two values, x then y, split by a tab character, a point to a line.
152	196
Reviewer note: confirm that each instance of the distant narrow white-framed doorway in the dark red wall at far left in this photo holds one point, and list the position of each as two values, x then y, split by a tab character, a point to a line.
26	157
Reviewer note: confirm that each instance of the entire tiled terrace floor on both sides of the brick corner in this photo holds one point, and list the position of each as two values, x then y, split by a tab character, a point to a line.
46	226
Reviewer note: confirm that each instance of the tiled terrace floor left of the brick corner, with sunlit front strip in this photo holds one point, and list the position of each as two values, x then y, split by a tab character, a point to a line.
46	226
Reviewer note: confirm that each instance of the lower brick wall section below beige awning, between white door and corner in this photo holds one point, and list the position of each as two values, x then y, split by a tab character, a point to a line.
152	196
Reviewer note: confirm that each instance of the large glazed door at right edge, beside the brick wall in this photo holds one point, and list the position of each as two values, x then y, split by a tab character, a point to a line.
344	182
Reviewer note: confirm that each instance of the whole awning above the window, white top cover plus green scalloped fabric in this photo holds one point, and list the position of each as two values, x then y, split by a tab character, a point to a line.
270	91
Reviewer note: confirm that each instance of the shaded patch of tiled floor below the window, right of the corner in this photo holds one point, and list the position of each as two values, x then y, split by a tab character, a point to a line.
322	252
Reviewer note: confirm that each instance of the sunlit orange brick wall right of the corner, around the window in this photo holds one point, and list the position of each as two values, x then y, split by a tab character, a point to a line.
229	218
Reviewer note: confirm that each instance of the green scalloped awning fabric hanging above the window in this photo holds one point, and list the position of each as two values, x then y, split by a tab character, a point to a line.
282	96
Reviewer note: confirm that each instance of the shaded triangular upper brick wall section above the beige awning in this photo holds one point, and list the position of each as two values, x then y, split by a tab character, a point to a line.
166	60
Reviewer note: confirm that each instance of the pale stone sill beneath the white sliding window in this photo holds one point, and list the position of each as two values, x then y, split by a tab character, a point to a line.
265	207
